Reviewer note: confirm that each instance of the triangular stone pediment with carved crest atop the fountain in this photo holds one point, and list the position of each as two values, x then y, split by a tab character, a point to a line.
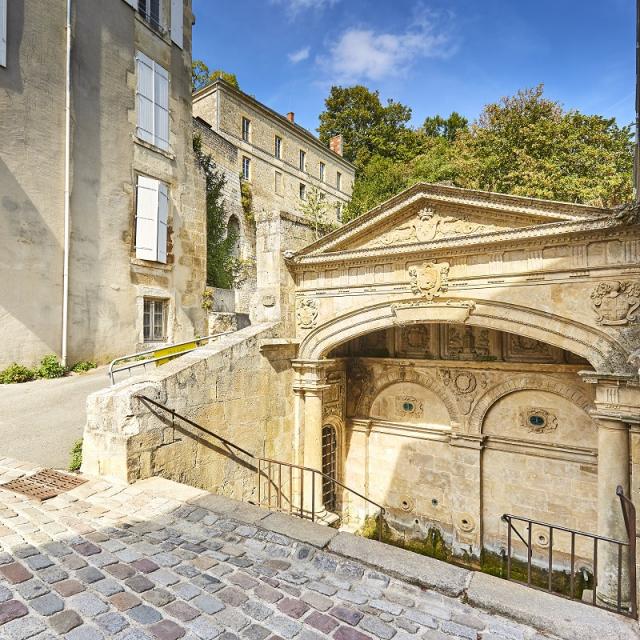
428	213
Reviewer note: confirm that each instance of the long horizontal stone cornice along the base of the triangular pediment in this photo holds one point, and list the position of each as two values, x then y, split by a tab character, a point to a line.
502	239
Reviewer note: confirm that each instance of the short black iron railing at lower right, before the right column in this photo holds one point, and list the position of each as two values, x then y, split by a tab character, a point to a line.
628	511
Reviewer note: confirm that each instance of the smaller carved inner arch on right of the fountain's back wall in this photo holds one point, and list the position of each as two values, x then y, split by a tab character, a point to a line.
532	382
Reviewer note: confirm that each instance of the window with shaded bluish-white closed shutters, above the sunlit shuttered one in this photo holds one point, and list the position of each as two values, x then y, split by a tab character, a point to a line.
152	102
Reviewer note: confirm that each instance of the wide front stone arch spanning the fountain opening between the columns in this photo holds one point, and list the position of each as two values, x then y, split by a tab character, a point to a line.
602	350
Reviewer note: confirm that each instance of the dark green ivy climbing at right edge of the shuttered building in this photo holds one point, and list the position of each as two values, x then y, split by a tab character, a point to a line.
220	241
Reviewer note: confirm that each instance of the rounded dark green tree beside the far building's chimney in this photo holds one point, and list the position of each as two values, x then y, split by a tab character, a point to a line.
368	127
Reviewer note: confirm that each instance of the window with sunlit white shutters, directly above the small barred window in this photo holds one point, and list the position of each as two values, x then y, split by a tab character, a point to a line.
152	213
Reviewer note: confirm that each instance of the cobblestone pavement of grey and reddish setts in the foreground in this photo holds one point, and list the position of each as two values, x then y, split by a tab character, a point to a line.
108	561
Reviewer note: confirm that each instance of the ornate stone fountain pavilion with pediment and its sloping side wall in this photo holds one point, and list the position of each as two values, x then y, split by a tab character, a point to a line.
454	355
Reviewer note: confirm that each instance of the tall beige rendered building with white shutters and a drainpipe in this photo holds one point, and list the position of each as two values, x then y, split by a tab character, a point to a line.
101	198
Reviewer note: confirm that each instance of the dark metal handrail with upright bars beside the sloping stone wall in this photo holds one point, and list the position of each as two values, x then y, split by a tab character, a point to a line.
268	462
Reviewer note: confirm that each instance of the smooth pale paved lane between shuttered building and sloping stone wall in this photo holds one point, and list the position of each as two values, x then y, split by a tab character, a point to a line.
40	420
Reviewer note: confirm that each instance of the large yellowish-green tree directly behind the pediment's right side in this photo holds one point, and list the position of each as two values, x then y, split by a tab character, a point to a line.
528	145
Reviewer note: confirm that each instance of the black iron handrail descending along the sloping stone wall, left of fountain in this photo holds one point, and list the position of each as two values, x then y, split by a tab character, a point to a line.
264	471
